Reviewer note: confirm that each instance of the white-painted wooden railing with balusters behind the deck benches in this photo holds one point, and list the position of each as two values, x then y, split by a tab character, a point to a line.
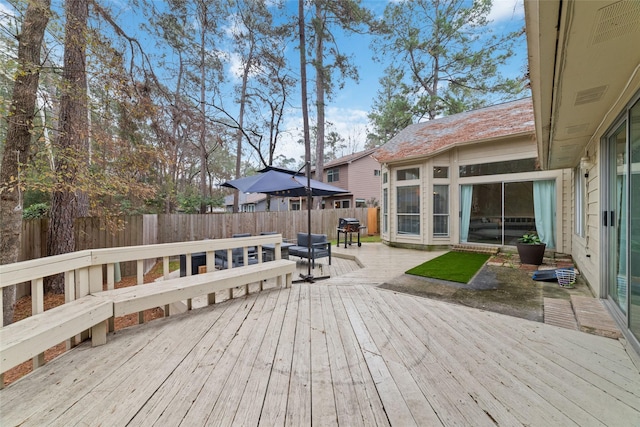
84	270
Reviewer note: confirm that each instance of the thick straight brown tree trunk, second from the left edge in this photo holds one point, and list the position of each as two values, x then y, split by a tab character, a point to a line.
71	141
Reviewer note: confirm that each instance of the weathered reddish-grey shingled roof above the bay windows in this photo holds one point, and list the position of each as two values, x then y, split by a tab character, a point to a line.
432	137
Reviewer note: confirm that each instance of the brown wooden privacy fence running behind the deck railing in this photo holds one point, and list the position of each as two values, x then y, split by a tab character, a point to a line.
95	233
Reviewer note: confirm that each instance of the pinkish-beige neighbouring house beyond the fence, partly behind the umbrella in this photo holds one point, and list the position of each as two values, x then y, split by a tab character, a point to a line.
359	173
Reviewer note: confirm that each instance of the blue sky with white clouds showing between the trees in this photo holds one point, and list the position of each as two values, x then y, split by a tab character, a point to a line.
347	111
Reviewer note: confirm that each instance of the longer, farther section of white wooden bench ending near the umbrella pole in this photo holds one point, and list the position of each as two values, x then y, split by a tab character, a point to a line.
163	293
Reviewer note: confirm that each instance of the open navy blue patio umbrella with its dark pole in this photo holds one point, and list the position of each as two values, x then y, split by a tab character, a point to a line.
286	183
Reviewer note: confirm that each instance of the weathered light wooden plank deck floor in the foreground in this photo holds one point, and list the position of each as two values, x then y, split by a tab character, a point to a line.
335	352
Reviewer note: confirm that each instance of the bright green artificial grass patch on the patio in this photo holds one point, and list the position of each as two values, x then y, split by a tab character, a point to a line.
453	266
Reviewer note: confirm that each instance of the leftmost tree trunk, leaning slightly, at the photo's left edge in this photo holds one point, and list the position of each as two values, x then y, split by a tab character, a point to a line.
16	147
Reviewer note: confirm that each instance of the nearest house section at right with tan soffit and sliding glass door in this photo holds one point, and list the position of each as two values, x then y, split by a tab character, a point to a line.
584	62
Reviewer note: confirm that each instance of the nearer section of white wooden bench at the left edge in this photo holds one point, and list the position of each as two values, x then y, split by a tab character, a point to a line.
30	337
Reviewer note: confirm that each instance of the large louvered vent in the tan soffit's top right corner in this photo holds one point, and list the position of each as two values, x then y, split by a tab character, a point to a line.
616	20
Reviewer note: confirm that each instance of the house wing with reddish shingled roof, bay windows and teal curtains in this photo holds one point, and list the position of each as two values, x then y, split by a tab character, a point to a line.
472	178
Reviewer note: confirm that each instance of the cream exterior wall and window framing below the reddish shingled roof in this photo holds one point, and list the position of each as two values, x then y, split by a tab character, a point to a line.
516	148
